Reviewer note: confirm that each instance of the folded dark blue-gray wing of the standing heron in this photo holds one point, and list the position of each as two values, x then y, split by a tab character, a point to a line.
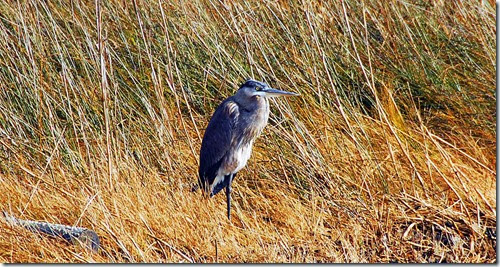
216	141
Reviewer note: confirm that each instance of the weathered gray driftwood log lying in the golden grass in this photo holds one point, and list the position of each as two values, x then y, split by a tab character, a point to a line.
74	235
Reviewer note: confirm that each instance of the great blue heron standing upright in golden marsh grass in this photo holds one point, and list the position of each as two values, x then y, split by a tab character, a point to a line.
228	139
